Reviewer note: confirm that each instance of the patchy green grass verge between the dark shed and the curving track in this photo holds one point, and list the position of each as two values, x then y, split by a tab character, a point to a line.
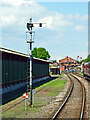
42	98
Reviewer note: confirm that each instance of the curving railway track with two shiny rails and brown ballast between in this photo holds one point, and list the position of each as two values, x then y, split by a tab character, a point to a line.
74	104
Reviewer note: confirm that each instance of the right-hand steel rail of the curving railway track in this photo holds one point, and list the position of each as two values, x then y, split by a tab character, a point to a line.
83	102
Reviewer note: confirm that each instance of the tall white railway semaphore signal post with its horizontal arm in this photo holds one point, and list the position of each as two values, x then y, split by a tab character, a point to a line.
30	25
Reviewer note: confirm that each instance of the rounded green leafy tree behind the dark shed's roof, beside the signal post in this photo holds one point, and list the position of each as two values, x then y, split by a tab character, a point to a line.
40	53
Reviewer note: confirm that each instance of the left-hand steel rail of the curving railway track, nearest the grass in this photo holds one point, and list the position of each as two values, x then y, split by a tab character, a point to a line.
65	101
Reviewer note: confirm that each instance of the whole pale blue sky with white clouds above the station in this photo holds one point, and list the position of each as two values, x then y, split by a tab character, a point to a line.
65	34
